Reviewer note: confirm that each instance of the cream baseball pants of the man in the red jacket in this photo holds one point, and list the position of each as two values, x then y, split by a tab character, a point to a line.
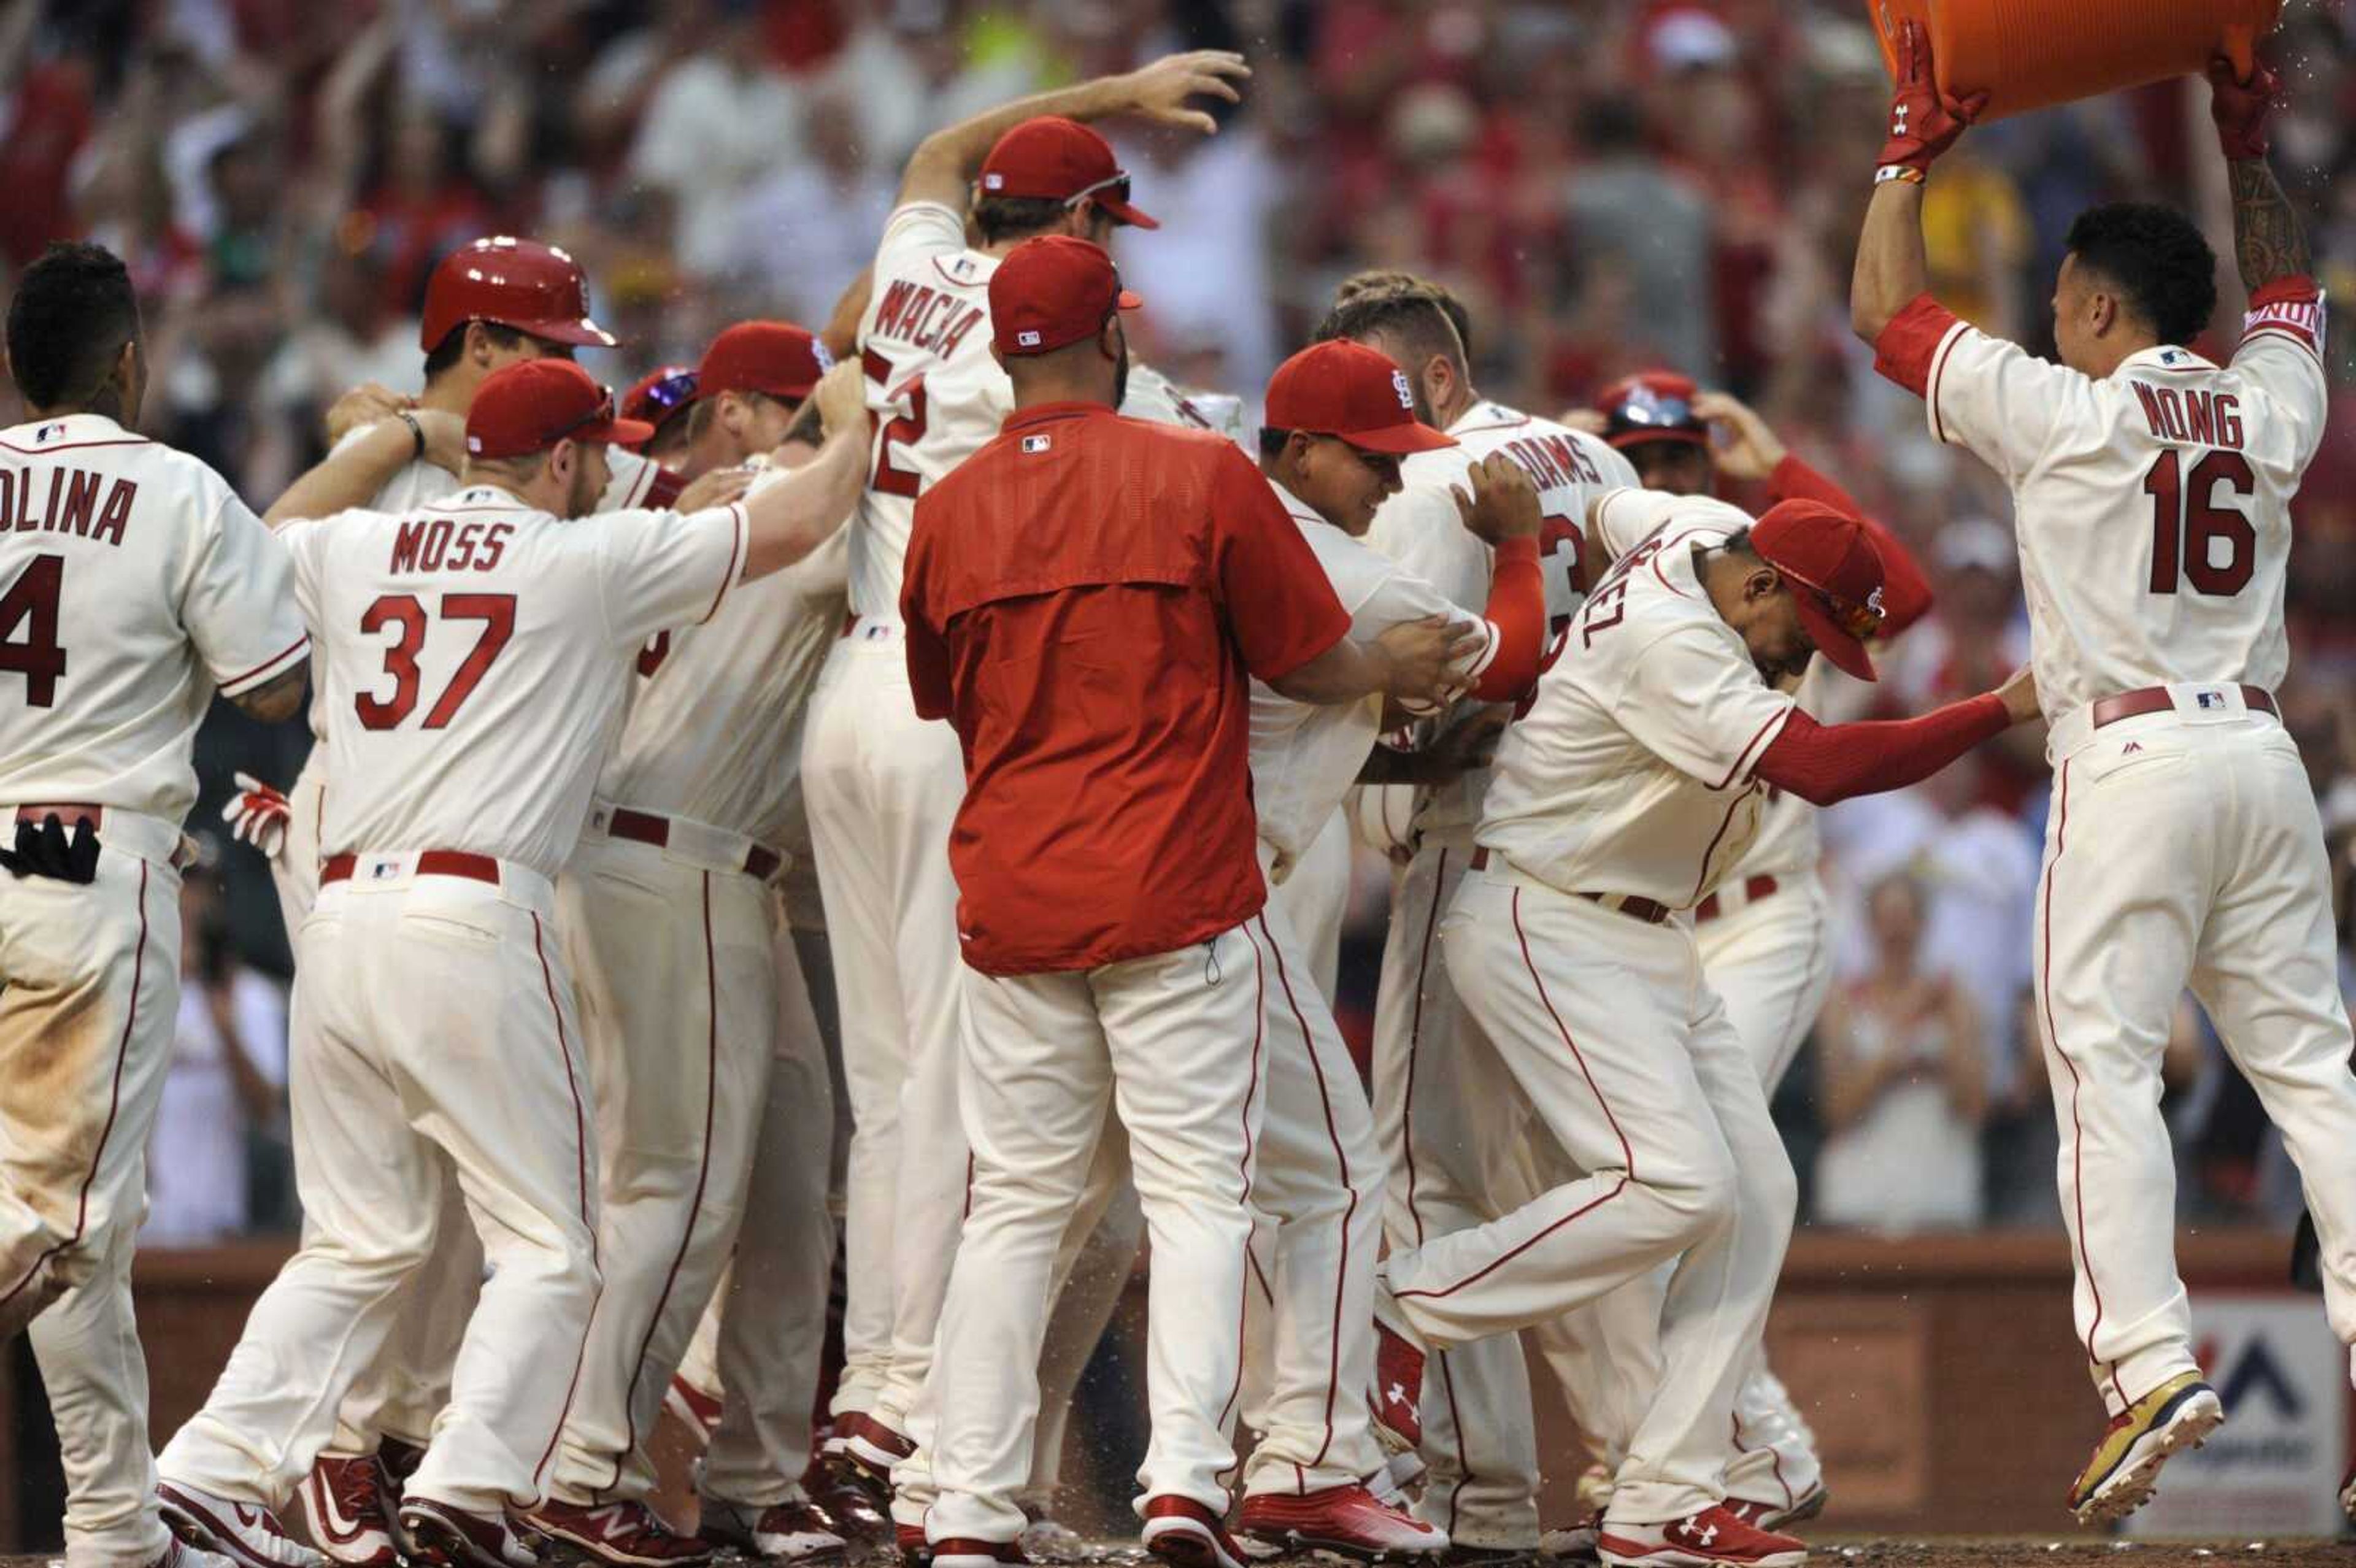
1174	1047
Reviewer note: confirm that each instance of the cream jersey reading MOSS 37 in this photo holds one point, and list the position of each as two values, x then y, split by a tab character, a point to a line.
482	651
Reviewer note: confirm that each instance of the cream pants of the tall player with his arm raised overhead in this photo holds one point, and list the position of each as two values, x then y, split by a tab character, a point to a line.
882	790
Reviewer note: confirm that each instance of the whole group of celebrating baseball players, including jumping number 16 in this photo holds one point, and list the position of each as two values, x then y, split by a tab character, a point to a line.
1054	705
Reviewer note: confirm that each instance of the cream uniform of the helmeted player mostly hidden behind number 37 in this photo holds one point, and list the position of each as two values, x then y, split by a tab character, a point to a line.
409	1383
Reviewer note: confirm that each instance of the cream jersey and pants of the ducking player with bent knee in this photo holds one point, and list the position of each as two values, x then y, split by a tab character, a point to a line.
1627	778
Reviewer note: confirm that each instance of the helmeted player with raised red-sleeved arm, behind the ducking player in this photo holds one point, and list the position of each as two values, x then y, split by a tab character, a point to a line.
1761	938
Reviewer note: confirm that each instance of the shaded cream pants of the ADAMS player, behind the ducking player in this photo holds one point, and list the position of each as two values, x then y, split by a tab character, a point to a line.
1450	1124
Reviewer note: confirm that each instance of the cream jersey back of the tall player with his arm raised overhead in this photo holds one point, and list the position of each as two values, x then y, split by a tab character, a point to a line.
932	385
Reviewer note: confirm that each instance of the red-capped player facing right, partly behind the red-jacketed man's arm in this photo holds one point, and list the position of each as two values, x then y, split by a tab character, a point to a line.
1339	423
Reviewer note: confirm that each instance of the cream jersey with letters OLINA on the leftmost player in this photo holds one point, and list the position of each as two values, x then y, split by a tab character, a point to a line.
133	583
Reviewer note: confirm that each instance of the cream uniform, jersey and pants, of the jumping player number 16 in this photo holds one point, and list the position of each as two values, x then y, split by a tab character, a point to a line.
2183	849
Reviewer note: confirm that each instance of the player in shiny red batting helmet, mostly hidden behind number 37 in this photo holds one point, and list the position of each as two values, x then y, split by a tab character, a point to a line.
489	305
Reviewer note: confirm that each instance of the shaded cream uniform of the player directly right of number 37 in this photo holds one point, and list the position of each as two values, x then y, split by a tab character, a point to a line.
675	957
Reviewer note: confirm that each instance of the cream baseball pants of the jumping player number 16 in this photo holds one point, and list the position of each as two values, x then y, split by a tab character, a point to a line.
2185	849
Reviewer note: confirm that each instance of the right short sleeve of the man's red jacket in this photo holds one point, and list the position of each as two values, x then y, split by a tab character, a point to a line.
1278	602
